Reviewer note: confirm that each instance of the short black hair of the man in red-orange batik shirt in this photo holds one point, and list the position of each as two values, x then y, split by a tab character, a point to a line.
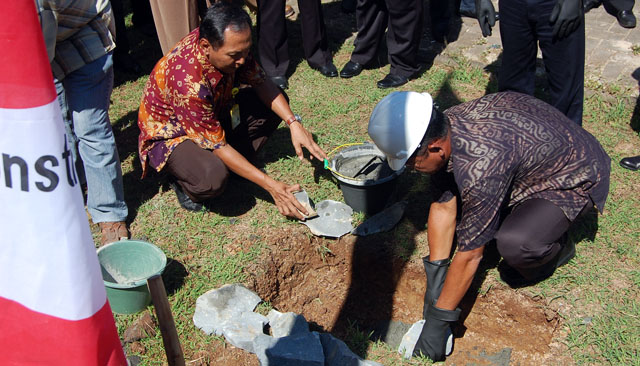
218	18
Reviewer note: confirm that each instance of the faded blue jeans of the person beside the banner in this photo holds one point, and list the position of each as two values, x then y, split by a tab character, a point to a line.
84	100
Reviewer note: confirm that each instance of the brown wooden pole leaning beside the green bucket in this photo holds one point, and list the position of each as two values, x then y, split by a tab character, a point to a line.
165	319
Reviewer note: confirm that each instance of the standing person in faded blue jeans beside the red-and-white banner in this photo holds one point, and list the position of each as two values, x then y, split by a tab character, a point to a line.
80	33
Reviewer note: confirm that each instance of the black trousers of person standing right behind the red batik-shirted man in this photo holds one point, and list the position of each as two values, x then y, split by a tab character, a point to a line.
273	45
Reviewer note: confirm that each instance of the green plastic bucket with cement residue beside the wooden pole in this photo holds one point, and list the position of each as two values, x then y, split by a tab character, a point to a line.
126	265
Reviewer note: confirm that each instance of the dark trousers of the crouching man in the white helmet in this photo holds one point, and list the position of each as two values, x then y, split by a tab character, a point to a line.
530	235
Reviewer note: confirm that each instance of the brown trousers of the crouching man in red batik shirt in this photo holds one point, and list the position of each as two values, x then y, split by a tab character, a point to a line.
200	173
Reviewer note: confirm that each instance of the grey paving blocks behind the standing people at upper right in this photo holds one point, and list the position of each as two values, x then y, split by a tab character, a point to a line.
609	55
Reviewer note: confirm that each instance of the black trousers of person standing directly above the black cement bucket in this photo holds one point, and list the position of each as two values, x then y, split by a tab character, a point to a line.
403	21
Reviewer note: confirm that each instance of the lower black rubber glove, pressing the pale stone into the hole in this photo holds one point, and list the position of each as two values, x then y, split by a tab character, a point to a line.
436	333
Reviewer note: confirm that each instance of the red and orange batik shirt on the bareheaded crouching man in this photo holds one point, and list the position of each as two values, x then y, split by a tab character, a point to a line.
185	98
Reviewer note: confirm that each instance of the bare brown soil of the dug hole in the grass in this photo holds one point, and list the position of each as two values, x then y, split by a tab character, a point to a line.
357	281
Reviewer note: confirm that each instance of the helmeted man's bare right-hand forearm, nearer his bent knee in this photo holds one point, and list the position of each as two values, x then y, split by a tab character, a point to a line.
459	277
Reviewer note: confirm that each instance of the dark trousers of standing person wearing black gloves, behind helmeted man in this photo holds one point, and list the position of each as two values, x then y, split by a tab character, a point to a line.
524	23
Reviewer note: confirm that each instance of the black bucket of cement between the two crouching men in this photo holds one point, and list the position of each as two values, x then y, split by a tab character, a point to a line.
366	180
